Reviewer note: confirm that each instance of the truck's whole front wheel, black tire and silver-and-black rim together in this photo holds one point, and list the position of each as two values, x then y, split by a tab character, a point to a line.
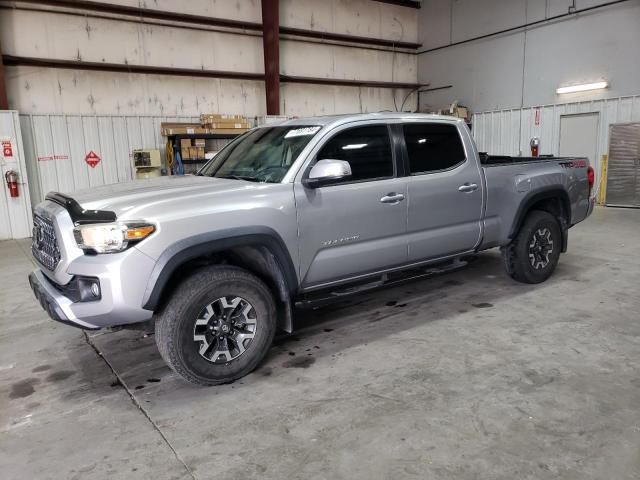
217	326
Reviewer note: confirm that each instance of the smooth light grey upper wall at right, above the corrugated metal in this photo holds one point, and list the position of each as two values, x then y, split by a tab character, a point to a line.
525	67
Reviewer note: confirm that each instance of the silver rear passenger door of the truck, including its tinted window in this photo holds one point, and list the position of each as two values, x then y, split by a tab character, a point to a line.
445	191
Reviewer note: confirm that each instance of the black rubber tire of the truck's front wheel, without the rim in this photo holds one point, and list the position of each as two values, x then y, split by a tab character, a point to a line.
174	325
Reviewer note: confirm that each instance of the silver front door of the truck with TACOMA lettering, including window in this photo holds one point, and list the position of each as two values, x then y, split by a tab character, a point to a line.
358	226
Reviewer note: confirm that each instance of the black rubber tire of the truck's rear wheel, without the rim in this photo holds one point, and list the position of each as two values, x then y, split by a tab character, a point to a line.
516	254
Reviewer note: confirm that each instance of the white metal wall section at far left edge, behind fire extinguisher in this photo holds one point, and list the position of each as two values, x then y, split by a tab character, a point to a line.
15	213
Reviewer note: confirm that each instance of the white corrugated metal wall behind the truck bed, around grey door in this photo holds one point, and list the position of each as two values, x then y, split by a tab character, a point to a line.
508	132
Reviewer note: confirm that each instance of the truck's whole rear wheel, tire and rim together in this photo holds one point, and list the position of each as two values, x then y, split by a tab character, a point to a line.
533	254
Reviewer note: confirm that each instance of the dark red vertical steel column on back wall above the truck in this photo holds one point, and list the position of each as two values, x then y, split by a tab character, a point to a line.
271	48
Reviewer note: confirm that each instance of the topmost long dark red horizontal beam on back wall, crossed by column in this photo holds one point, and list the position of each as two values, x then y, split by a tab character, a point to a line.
137	12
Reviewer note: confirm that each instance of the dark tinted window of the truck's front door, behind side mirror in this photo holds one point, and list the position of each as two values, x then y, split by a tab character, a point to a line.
367	149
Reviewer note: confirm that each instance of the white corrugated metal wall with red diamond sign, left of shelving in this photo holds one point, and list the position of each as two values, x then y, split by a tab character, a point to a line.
56	146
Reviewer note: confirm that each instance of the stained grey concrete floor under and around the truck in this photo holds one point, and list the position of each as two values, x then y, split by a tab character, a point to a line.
464	376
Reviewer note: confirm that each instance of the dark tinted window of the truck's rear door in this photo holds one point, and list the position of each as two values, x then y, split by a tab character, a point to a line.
432	147
